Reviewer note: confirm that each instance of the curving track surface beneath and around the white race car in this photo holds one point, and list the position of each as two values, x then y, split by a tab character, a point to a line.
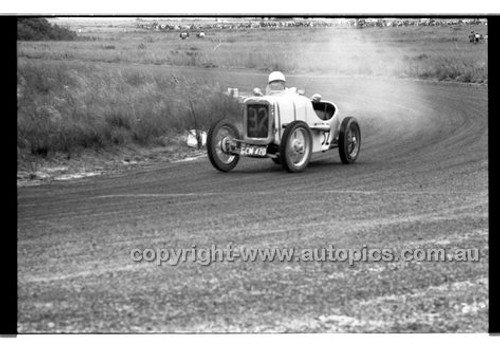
420	181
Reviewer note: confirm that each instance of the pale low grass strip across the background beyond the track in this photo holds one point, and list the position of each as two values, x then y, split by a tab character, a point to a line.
440	53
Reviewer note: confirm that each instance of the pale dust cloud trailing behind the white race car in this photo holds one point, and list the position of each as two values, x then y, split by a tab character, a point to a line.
357	69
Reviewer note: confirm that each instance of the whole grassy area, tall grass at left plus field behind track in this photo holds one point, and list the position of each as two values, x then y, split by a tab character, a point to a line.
70	99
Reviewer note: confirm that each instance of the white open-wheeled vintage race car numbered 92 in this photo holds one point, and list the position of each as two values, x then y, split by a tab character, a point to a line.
286	127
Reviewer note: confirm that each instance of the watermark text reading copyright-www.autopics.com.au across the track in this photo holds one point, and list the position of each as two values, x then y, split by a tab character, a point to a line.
231	253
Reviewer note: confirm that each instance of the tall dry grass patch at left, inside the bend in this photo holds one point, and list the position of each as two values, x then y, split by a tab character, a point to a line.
67	106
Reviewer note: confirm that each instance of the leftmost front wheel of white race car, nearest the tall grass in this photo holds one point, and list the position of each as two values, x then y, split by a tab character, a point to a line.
216	134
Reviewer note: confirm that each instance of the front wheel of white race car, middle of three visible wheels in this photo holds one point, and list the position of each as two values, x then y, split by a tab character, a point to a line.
296	147
